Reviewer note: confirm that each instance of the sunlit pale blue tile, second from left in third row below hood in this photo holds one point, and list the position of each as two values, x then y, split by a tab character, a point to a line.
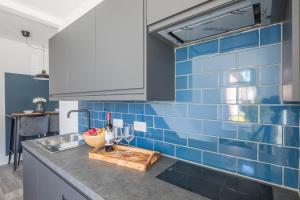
207	80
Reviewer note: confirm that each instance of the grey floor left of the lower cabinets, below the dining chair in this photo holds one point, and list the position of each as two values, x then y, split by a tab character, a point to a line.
11	183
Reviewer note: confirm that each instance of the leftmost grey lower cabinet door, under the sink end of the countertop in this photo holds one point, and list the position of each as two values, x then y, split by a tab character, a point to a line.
30	181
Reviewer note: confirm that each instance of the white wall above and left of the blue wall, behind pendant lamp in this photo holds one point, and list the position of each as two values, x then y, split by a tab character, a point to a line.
15	57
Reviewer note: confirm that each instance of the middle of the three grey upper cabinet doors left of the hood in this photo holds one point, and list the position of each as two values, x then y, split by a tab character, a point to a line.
81	35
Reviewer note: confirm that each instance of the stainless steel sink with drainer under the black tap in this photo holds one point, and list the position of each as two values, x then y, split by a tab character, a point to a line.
60	142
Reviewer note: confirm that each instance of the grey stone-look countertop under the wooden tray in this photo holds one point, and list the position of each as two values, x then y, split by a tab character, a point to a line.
100	180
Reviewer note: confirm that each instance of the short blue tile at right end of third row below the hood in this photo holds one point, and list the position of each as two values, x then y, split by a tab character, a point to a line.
270	75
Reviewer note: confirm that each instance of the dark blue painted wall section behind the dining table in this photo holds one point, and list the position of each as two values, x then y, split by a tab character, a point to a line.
20	89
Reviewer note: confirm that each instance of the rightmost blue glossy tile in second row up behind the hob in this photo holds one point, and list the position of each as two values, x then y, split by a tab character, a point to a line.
283	156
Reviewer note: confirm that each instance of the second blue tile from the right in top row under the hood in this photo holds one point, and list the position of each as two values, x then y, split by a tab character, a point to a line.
239	41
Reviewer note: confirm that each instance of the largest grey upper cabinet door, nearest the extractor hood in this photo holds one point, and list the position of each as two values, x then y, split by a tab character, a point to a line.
120	38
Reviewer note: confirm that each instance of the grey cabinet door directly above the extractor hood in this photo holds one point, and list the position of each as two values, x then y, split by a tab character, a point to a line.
160	9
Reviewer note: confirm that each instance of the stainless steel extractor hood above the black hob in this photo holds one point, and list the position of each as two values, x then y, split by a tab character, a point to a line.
230	17
